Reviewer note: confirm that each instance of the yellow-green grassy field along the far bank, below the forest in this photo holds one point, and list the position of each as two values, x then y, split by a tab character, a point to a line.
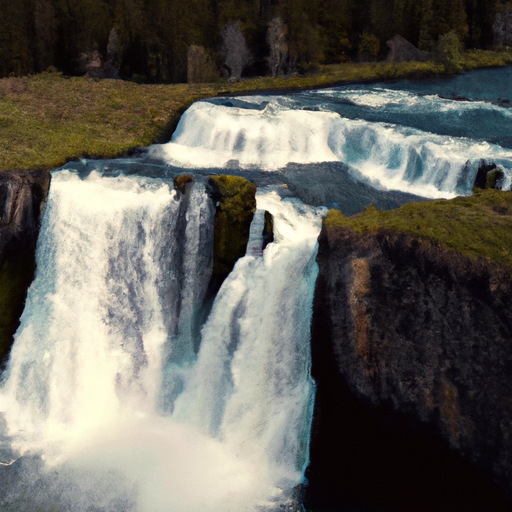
48	119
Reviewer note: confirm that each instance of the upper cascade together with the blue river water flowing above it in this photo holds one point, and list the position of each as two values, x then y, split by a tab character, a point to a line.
398	140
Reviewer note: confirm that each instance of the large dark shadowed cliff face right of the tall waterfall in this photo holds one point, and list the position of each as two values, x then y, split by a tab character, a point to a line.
421	379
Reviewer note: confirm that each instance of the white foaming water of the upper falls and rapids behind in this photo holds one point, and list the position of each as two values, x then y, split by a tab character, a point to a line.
279	132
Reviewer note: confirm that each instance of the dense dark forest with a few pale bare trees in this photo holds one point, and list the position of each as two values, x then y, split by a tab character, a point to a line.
176	40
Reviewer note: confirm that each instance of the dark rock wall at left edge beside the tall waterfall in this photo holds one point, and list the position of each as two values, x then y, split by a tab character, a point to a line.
22	196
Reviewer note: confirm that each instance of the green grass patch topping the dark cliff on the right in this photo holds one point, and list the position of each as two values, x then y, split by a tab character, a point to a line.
477	226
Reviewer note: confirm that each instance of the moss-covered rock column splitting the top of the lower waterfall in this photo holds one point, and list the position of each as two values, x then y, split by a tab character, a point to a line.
235	211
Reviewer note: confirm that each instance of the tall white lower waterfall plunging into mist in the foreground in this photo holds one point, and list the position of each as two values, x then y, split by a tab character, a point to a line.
103	383
